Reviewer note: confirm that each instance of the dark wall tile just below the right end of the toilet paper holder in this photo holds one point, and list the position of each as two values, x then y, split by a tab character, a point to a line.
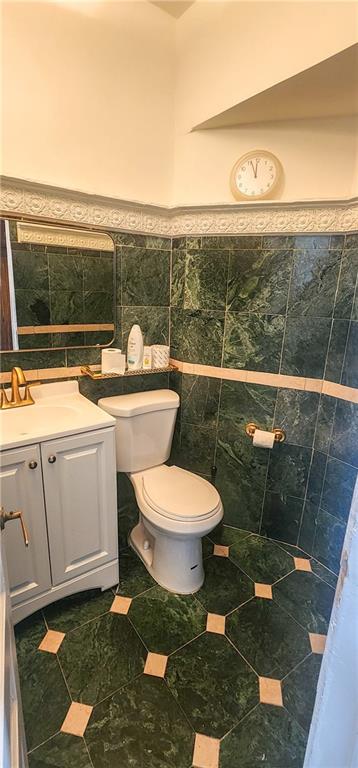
288	469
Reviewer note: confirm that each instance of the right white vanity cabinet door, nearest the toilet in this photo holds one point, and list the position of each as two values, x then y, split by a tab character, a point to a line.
80	491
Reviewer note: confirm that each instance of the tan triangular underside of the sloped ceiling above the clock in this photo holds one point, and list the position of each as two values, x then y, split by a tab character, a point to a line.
326	89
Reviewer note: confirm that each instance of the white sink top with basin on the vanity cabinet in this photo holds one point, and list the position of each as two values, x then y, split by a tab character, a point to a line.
59	410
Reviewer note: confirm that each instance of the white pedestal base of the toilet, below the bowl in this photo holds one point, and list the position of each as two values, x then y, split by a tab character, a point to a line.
175	563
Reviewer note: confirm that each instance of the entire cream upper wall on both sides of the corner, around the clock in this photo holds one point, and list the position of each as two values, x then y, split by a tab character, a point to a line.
101	96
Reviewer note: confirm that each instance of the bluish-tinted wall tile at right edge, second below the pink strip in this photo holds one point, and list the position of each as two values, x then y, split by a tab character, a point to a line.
338	489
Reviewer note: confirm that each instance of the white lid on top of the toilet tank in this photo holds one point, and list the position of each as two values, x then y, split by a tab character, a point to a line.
140	402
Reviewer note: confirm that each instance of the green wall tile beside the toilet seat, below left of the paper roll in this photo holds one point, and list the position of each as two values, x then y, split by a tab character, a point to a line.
240	480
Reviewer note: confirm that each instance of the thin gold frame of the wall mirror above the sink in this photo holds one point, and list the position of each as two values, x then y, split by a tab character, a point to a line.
69	227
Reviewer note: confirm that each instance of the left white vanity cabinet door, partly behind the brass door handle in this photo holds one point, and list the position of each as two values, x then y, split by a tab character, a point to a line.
21	488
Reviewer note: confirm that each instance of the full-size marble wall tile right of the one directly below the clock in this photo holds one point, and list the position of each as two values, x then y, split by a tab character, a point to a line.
314	282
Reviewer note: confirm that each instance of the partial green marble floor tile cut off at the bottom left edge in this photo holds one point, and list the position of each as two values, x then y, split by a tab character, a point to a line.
62	751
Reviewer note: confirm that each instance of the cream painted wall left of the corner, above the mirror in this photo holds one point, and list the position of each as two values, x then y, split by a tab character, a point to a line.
88	96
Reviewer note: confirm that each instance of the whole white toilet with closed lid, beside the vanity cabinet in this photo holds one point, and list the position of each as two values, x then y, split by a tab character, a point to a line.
177	507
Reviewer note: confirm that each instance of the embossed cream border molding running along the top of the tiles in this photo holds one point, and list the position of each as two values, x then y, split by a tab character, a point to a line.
52	204
